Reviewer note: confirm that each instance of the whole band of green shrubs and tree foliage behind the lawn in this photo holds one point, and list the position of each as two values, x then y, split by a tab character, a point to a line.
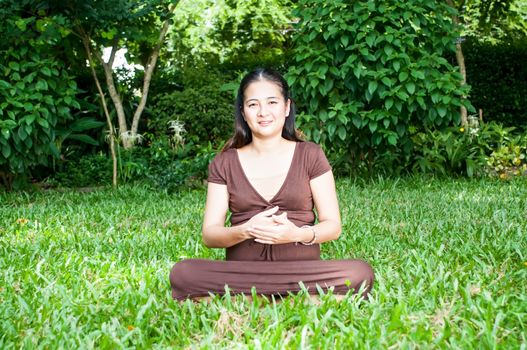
374	83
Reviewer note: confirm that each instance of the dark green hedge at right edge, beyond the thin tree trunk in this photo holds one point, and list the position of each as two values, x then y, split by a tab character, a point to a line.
498	75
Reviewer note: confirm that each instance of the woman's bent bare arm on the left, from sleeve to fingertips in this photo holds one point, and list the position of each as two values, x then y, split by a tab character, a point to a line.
215	234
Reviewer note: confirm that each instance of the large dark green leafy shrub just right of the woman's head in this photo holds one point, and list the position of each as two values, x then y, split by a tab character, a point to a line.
364	73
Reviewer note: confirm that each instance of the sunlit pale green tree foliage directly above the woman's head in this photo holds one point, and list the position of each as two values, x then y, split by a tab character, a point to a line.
238	34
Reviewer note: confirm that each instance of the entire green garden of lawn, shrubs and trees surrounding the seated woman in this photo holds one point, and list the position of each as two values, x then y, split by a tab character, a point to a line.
110	112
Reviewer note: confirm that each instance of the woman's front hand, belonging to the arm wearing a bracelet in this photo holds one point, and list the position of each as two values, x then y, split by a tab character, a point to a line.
279	231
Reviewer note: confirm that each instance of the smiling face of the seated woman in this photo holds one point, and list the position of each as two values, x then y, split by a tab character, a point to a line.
264	108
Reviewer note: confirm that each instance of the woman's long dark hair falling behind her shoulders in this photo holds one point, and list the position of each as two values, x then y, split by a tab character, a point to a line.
242	134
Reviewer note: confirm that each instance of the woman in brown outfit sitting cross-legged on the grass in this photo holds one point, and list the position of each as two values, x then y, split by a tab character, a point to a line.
270	180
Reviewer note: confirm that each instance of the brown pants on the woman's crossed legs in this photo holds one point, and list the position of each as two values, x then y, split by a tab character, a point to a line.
197	278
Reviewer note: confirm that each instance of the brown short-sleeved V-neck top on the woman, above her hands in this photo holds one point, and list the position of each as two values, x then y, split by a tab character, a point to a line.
294	196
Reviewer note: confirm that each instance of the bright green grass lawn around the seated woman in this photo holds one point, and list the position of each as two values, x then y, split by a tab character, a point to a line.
91	270
